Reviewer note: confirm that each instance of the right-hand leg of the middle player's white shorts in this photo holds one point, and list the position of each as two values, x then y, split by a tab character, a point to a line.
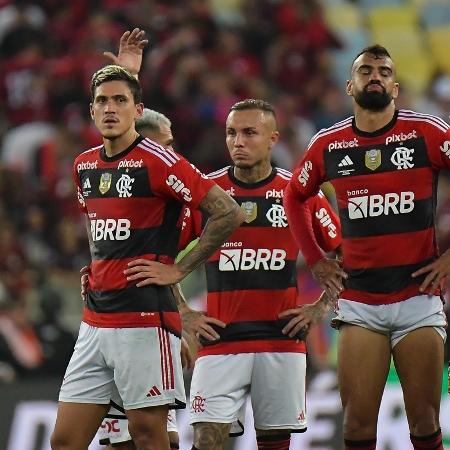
278	391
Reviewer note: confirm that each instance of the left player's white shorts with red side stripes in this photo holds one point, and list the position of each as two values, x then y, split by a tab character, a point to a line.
144	364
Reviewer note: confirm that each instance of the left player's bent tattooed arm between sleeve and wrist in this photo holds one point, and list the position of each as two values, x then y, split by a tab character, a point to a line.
225	217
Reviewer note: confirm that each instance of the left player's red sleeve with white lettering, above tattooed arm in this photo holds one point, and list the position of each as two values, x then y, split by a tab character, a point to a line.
172	176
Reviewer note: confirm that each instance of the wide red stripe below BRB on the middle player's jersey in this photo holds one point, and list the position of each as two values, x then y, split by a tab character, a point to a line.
250	305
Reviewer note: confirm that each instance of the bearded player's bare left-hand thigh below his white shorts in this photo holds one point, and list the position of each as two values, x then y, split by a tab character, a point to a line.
364	358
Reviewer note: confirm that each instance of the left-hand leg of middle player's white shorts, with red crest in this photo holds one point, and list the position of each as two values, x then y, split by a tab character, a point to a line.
219	387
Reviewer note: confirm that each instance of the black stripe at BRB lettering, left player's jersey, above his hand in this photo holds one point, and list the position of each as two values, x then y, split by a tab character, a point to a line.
140	242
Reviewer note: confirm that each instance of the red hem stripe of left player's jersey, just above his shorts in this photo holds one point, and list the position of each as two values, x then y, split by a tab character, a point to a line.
170	320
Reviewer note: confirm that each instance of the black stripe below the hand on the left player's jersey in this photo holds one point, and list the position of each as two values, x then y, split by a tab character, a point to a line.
151	298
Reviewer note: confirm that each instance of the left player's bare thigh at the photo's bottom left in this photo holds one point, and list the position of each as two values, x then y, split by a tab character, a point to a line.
86	418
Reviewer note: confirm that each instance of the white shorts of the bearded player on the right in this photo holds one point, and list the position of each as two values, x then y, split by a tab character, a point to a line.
395	320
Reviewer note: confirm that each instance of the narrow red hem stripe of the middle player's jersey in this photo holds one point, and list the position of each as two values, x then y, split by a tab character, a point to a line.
283	346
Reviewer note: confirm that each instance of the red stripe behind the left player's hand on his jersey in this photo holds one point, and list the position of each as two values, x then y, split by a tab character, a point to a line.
107	274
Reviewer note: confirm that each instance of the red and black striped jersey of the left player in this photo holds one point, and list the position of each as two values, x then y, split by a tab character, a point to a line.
133	203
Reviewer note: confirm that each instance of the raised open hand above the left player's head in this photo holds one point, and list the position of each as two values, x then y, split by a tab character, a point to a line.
130	51
